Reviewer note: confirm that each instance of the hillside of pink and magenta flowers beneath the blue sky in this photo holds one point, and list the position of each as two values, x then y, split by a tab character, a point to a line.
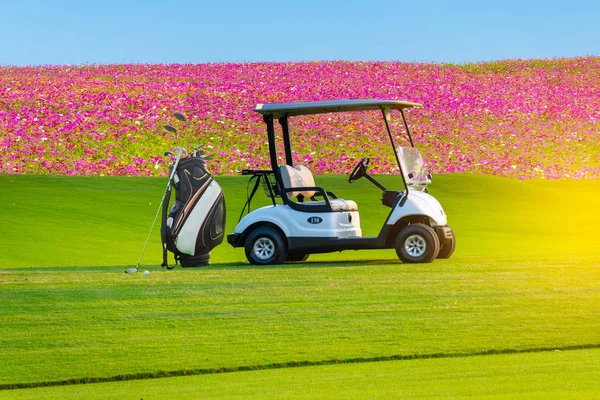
514	118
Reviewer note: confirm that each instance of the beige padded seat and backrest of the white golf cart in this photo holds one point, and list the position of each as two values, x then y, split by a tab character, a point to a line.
301	177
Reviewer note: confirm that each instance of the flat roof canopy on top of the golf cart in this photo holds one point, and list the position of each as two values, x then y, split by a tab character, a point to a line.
322	107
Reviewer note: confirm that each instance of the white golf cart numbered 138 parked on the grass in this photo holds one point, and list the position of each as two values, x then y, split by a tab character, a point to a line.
308	219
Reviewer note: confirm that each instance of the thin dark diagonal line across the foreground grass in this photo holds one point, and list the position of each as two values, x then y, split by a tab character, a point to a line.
290	364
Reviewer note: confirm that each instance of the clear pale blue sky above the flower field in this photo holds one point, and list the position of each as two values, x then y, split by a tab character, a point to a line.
78	32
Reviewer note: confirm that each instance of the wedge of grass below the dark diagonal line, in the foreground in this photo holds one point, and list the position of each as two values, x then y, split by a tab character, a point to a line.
550	375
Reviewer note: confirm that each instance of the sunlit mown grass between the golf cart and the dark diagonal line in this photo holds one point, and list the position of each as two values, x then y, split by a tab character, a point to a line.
100	322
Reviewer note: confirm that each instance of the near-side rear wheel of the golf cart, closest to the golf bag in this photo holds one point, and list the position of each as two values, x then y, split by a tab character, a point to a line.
265	246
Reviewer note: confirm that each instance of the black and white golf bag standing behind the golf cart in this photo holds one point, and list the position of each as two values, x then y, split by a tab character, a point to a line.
195	223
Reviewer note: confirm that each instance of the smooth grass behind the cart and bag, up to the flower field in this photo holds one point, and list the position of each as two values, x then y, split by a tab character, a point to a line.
92	221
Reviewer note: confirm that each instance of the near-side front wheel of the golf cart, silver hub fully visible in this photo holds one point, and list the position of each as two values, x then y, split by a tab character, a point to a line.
417	244
